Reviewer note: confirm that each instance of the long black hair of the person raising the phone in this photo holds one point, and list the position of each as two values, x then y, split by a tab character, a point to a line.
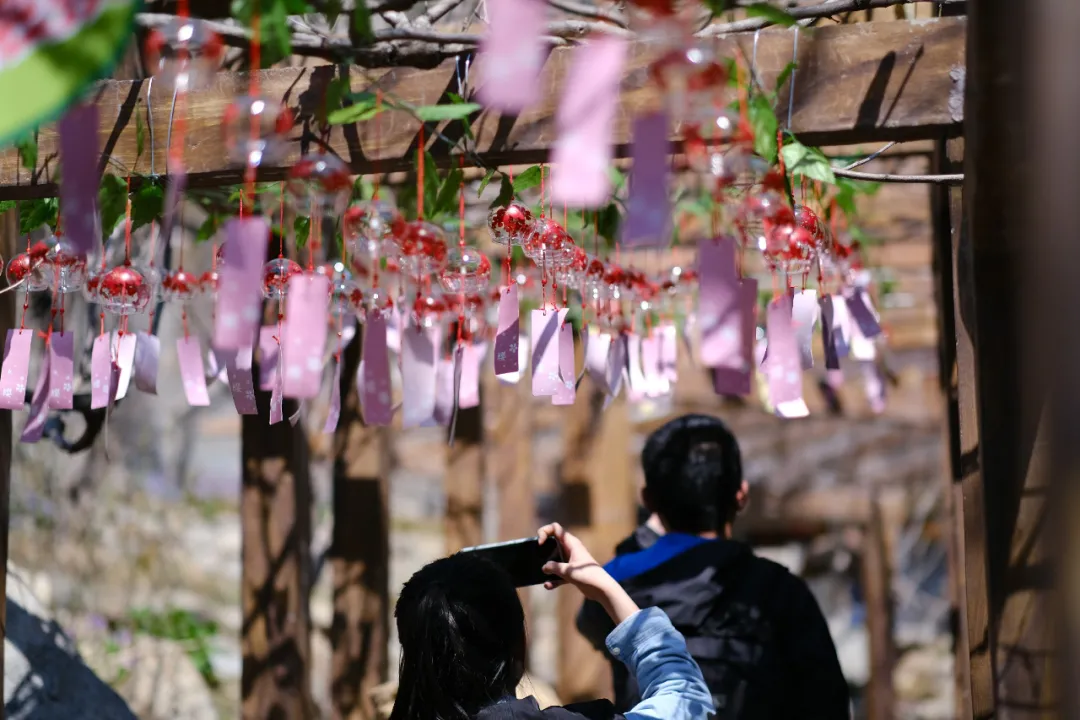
462	629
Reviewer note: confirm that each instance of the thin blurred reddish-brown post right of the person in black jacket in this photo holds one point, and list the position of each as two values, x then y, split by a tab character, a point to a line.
877	587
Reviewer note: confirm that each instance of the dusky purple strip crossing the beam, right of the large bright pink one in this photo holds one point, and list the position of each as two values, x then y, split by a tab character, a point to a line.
649	209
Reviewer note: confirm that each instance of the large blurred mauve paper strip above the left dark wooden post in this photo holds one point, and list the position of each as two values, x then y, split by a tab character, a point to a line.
240	294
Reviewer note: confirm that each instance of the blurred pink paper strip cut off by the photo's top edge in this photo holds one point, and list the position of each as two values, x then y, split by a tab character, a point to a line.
512	55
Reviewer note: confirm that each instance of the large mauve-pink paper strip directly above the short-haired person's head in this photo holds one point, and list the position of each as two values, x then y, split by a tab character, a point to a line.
719	306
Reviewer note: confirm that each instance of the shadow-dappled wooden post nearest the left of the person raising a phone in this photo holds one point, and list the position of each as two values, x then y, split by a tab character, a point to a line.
360	553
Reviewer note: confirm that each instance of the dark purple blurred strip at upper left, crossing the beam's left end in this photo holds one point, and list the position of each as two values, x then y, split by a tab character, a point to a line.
79	176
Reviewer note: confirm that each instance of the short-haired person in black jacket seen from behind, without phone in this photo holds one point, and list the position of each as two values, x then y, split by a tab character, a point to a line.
755	630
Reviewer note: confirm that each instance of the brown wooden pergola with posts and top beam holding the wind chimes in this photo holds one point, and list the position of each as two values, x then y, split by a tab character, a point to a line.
950	80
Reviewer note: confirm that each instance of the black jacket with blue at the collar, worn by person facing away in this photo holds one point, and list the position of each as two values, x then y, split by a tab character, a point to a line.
755	630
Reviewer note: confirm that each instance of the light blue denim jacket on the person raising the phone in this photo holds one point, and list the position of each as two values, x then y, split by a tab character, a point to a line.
655	653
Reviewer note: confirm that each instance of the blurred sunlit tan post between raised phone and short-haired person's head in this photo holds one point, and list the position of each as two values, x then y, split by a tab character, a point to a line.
600	506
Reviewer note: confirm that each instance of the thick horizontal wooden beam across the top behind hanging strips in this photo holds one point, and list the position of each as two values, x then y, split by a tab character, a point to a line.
856	84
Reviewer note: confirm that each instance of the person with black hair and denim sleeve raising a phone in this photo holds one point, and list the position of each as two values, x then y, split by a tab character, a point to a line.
463	634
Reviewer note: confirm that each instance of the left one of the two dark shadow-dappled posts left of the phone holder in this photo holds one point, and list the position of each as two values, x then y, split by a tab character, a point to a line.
276	520
